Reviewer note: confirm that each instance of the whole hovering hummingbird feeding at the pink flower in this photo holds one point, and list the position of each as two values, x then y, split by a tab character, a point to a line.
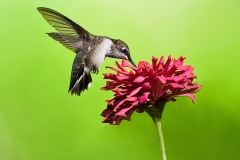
91	50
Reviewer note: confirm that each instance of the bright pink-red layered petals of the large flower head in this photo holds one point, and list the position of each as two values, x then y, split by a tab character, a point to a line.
148	85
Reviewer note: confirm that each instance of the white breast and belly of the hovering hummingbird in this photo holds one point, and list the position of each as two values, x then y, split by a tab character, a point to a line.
98	53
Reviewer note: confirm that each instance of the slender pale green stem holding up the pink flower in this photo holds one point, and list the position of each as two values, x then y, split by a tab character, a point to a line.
160	136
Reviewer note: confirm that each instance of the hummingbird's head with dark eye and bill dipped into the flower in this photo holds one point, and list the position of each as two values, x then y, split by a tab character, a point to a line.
120	50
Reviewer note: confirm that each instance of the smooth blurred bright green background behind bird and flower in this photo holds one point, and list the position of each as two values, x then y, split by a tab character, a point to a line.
39	120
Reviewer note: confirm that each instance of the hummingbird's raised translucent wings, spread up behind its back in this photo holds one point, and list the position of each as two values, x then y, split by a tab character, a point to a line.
70	34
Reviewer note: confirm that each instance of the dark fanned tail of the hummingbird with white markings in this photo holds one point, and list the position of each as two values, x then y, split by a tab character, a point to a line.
84	82
